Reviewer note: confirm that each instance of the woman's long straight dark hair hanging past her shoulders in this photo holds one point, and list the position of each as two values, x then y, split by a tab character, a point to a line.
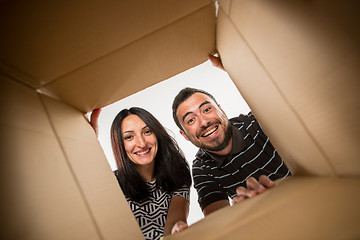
171	169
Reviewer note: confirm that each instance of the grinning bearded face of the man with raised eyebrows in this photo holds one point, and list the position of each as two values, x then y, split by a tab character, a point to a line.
204	123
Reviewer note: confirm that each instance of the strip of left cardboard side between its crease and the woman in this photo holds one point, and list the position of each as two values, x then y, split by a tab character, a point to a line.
91	170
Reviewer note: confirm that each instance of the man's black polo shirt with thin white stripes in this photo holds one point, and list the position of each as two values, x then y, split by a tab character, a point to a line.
252	155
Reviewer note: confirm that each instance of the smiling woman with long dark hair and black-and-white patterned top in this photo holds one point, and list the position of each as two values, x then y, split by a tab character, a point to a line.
152	172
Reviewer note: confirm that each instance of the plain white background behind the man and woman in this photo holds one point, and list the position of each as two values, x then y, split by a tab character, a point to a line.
158	99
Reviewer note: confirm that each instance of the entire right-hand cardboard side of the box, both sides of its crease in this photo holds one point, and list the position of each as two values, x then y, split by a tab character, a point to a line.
312	67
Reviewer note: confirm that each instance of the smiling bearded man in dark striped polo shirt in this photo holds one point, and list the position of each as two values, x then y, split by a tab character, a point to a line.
232	154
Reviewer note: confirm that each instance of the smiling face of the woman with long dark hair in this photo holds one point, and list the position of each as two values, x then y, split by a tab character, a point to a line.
139	141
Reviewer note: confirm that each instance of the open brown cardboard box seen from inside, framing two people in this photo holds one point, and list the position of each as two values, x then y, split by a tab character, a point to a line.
296	64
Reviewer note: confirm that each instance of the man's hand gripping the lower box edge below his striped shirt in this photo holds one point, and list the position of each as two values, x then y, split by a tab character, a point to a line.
254	188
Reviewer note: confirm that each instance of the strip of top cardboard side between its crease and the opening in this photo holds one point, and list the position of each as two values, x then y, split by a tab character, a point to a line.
140	64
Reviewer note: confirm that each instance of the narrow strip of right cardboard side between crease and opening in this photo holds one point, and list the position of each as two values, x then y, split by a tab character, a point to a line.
278	119
